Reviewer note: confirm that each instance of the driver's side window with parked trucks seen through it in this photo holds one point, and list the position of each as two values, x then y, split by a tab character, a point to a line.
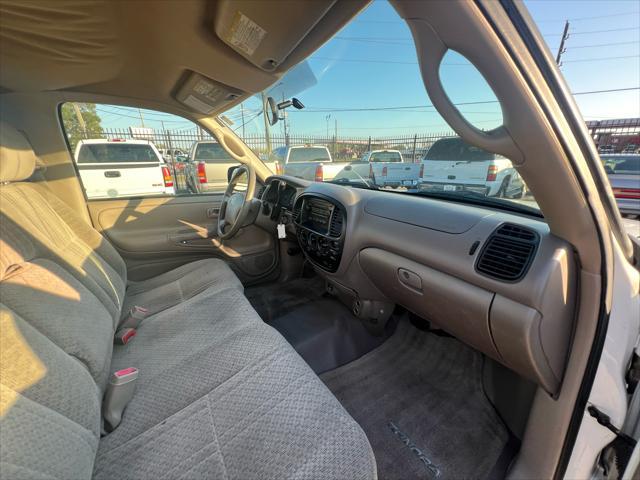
130	152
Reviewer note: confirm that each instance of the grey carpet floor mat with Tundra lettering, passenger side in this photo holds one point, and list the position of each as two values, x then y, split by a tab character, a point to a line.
419	399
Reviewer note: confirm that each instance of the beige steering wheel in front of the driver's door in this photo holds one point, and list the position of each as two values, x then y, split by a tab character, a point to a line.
235	205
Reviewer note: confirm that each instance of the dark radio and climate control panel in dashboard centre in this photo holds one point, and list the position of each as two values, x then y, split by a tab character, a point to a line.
320	224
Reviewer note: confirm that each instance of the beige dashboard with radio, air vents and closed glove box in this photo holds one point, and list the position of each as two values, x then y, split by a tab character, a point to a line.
498	281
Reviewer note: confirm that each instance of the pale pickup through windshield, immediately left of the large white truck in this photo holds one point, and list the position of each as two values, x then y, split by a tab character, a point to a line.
388	169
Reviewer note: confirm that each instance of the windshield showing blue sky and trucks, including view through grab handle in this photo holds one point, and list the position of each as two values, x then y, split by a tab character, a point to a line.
366	110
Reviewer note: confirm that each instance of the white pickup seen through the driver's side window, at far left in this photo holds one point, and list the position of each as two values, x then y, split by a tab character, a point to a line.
122	168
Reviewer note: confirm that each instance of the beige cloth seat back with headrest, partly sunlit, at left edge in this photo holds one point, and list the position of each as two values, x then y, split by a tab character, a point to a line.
61	293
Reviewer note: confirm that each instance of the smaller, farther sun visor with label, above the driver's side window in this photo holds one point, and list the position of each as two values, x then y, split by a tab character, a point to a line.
204	95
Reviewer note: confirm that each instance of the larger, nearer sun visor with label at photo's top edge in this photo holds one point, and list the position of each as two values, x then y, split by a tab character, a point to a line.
265	33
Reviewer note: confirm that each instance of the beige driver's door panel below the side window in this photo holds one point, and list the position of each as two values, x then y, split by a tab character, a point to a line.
154	235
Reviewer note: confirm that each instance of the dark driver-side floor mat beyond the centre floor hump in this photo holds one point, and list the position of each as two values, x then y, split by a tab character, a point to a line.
274	300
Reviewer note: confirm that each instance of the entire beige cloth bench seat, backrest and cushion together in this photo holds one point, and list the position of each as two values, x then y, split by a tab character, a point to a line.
220	394
